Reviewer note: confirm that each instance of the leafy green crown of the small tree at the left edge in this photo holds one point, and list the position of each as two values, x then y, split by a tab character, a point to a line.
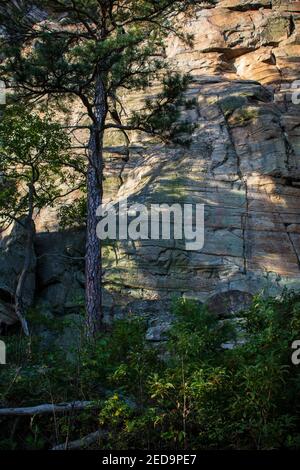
34	153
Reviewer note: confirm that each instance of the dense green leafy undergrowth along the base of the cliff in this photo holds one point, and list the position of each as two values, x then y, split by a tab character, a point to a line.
190	392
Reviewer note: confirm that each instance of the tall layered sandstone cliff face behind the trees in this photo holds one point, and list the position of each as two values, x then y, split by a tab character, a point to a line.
243	164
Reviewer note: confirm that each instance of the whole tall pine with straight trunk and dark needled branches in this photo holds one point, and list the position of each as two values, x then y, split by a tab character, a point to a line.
91	50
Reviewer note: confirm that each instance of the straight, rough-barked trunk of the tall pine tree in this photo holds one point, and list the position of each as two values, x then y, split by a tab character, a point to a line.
93	257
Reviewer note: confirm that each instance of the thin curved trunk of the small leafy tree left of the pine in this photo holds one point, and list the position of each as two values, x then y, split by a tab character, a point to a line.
19	295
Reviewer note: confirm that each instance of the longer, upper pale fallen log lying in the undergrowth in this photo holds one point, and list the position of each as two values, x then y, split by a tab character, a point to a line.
49	408
